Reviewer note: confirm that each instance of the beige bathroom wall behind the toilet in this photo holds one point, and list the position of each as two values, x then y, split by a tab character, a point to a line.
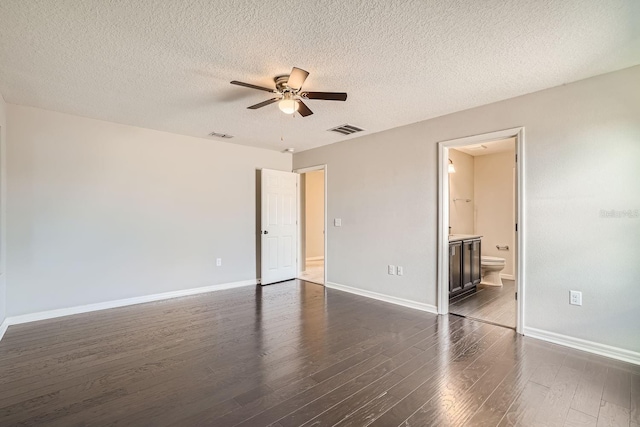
494	204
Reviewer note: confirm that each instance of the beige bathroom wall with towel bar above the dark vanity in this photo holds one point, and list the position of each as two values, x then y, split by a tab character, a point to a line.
461	217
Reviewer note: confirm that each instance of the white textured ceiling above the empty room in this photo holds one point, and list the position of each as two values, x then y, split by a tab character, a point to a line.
167	65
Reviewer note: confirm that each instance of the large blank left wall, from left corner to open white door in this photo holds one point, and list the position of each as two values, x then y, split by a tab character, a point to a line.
100	211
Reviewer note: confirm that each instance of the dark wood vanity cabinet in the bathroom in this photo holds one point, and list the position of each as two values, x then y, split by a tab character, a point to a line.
464	266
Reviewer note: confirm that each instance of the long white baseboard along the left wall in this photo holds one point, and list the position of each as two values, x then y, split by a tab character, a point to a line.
50	314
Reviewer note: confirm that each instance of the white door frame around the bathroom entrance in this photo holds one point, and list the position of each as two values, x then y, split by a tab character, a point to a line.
443	215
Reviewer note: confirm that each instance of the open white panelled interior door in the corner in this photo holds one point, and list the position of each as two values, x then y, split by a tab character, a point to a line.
279	230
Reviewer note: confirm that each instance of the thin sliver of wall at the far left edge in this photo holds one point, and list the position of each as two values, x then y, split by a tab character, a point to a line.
3	228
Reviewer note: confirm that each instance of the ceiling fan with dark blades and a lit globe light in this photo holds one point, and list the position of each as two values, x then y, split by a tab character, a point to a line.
289	93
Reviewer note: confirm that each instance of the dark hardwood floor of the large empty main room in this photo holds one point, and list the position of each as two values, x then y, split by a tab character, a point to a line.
294	354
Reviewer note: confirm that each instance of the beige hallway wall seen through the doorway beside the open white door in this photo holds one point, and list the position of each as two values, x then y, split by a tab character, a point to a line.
314	214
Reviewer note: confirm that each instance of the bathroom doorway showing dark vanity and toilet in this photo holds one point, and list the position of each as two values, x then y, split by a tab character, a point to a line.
479	246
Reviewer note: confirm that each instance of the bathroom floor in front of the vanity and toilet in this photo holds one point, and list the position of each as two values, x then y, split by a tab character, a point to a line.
491	304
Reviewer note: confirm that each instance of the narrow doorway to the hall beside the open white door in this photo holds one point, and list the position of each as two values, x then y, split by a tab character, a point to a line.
312	225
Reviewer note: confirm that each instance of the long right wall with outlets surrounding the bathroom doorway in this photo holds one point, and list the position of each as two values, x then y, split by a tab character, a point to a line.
582	156
